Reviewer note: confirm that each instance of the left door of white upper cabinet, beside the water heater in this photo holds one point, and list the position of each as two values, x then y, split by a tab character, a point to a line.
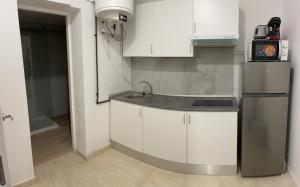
139	31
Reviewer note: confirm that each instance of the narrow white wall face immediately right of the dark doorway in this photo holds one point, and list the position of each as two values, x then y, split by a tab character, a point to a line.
77	91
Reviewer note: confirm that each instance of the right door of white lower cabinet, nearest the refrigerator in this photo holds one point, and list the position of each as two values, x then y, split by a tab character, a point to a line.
212	138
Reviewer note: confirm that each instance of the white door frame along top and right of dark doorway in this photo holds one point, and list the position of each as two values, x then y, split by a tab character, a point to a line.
68	16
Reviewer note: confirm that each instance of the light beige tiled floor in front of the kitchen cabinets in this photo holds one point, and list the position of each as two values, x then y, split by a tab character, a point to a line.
114	169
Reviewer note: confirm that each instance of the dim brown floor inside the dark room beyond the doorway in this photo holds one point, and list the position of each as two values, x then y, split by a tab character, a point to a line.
52	144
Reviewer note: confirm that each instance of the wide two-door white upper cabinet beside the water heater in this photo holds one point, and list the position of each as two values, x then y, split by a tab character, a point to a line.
160	29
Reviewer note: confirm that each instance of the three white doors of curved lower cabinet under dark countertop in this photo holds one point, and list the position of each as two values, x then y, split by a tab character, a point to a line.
197	138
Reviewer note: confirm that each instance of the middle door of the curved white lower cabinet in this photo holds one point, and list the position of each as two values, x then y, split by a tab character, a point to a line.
165	134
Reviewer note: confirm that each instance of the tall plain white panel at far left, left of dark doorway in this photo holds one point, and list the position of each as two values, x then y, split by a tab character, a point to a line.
13	96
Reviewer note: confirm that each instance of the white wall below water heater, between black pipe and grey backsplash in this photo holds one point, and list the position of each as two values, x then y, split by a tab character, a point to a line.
114	70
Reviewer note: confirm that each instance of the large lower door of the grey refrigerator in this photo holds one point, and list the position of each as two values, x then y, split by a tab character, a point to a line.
264	128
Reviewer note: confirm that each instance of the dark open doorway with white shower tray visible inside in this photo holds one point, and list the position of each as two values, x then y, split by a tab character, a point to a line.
45	59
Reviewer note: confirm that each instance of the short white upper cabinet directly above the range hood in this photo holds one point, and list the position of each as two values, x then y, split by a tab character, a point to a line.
216	19
